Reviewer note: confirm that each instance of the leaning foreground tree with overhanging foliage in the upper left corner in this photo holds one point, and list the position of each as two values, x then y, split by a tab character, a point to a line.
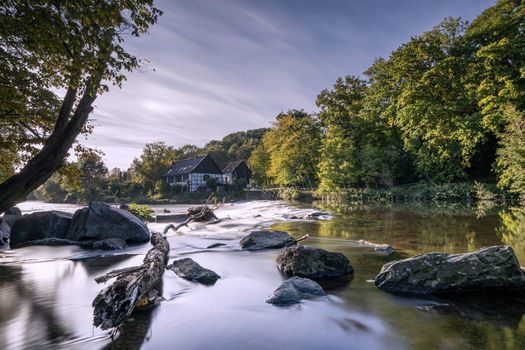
46	46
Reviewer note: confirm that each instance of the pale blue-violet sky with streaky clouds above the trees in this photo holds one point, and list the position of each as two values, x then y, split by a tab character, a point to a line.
220	66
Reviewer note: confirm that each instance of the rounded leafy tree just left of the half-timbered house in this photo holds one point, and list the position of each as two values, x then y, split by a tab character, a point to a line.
154	161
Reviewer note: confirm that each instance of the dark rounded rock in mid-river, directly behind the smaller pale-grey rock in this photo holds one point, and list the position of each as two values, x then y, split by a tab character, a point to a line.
313	263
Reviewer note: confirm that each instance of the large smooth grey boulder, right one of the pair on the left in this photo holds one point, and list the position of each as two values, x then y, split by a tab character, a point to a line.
100	221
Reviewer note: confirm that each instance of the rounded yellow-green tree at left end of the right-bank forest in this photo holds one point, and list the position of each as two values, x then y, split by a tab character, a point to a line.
293	147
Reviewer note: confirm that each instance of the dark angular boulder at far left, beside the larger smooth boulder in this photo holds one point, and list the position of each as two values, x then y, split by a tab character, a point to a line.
40	225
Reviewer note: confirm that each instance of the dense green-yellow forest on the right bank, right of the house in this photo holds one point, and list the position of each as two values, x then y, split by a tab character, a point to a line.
446	106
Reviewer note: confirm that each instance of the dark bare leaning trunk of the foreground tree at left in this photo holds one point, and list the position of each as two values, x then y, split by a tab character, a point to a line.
40	168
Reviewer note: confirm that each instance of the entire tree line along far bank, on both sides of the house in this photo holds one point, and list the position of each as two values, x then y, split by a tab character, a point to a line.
448	106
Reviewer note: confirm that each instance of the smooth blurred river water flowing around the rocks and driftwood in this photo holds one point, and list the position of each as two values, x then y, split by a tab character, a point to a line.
46	292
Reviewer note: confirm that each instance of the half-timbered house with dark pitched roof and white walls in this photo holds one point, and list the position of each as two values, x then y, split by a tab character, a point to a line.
193	173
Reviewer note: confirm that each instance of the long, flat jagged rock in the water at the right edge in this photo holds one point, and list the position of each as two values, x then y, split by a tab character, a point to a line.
433	273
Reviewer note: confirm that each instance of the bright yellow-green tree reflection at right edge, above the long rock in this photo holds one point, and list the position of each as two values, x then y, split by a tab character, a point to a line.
512	229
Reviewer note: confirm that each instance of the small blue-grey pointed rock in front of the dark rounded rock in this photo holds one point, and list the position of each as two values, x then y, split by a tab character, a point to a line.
295	289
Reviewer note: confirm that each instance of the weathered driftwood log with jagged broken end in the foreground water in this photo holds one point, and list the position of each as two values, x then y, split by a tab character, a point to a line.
134	286
